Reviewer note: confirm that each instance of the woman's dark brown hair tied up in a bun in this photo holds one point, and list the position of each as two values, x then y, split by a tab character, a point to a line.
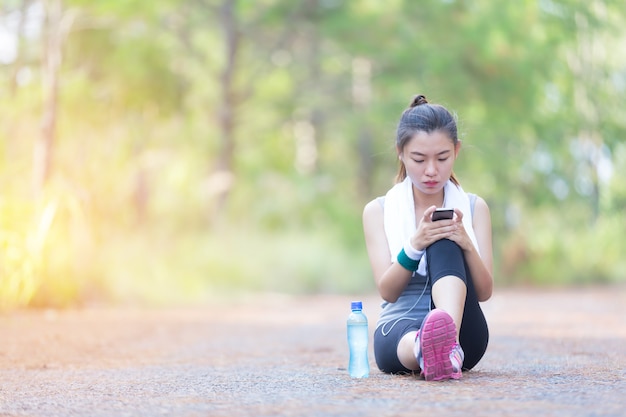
422	116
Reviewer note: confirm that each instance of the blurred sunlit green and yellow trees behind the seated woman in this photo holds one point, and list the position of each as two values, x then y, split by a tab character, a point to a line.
161	152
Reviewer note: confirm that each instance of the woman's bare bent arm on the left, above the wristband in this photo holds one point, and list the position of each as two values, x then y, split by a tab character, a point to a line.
391	278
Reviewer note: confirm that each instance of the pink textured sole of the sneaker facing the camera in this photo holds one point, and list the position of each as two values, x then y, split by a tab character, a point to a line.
438	337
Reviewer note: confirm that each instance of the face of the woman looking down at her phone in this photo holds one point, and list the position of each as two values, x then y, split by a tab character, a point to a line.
429	159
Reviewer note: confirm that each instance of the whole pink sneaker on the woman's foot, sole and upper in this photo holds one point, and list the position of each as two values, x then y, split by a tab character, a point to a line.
436	350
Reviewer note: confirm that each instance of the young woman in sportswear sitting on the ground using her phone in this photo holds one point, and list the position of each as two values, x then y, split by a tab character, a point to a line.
430	273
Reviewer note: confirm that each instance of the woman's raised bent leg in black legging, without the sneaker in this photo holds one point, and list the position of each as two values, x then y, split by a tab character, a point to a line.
453	291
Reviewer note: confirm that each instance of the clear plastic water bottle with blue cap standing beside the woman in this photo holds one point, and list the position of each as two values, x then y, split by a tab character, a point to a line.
358	338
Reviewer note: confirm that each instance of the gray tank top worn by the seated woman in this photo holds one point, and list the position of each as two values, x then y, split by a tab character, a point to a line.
414	302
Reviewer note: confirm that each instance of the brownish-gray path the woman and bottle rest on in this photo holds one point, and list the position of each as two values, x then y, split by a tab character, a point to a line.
551	353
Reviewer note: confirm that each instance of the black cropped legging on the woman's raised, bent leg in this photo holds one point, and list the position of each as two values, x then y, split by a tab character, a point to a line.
446	258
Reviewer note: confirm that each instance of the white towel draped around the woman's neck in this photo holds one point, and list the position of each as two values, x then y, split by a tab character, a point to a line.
399	215
